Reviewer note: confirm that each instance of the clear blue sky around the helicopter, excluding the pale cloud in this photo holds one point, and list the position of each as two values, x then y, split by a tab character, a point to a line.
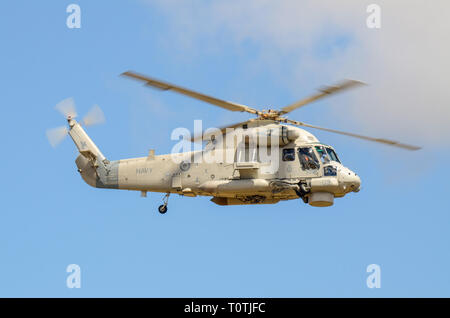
50	218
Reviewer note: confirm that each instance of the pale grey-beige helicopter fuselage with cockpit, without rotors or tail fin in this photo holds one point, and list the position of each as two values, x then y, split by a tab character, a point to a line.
290	165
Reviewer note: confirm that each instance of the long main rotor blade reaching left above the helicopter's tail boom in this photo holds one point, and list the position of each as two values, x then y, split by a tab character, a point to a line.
212	100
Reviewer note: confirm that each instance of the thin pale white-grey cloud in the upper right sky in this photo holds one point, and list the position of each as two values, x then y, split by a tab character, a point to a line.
406	62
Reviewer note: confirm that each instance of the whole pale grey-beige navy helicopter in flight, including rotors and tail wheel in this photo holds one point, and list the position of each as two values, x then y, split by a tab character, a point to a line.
259	161
